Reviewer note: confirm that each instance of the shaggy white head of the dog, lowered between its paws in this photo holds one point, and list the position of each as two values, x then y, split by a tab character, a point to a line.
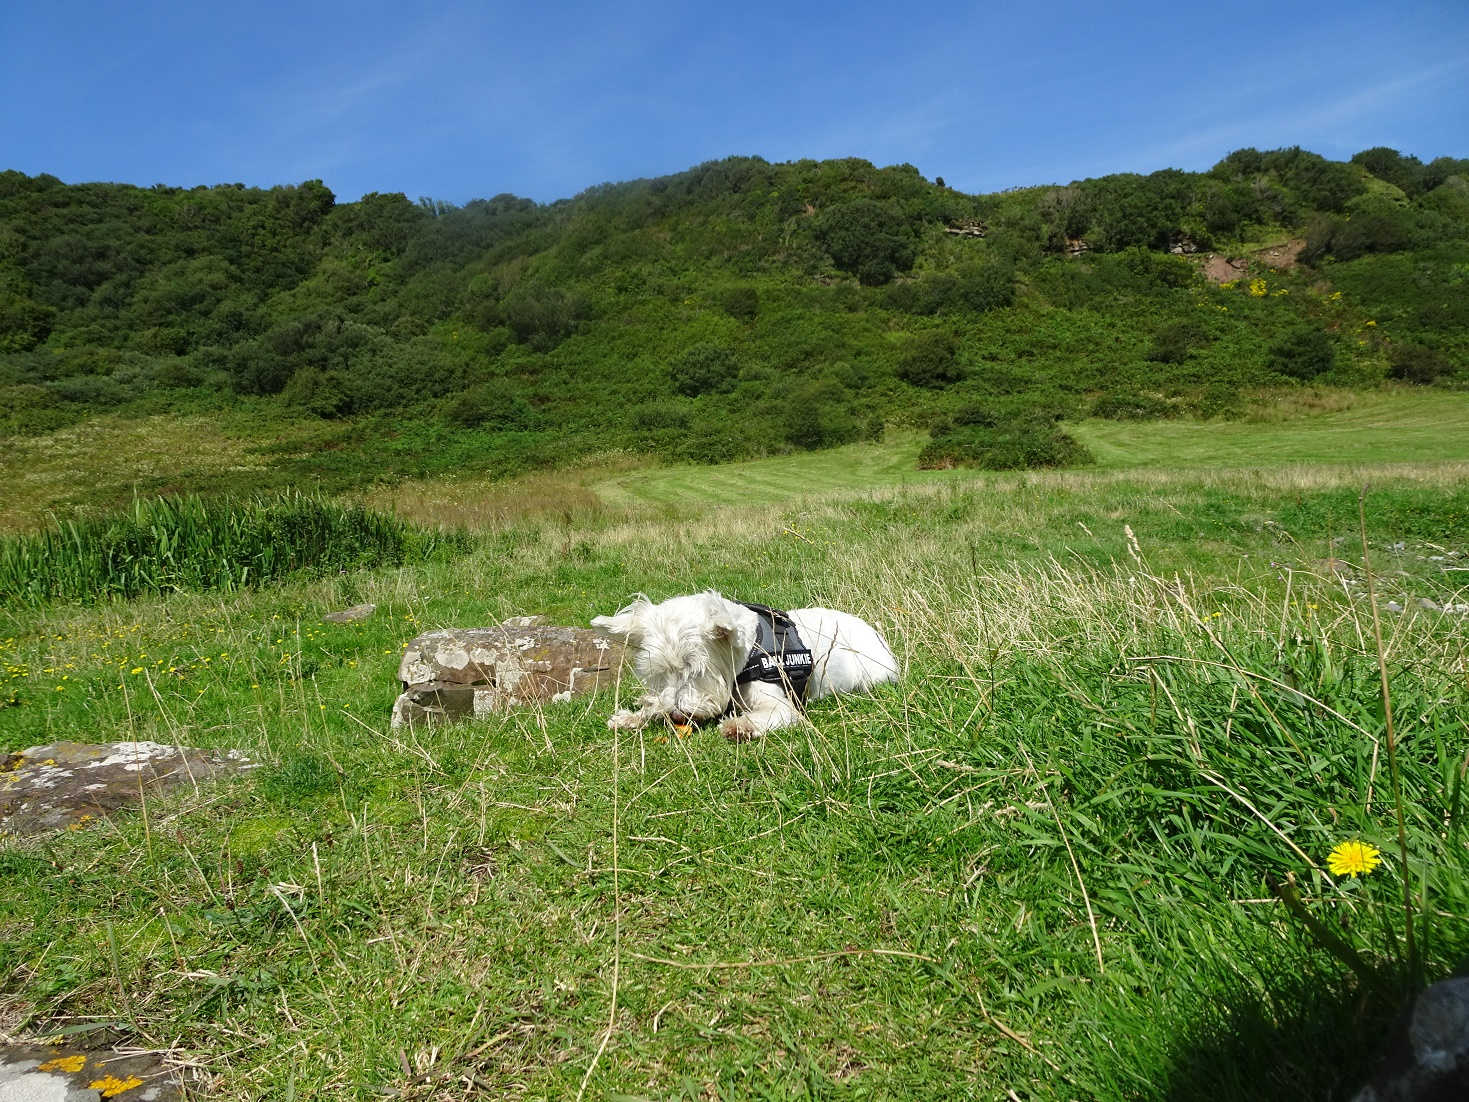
687	652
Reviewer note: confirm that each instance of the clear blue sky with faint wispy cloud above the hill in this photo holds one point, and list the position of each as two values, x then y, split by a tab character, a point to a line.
463	101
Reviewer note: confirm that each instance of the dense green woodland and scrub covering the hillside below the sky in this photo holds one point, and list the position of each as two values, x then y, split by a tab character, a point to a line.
740	308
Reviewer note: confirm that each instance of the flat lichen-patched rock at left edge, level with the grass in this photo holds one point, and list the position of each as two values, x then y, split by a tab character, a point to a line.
67	784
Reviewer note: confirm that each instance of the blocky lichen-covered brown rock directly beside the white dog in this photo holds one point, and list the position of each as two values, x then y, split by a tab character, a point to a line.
468	672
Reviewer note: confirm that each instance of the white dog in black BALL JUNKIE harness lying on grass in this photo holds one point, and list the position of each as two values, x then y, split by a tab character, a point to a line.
706	656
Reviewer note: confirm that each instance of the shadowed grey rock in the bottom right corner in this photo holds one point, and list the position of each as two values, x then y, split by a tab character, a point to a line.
1430	1056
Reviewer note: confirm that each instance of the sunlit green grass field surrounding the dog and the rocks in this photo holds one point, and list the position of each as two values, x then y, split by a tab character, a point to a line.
1038	868
